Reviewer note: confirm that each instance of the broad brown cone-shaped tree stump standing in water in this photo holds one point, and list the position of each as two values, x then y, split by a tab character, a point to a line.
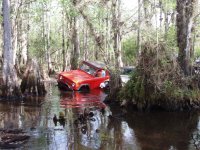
32	81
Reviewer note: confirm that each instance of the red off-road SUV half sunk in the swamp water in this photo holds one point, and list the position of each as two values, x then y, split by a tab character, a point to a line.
90	75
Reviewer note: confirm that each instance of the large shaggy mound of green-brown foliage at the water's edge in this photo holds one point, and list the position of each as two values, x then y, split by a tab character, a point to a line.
158	79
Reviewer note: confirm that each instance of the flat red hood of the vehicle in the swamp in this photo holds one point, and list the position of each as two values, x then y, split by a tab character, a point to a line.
76	75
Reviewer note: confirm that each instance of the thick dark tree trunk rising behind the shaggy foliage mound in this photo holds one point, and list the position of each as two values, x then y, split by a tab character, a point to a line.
185	15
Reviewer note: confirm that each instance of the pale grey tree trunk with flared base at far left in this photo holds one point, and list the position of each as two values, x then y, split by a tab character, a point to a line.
10	80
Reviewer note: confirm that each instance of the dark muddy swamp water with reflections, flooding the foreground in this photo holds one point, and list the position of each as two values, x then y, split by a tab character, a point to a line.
106	128
